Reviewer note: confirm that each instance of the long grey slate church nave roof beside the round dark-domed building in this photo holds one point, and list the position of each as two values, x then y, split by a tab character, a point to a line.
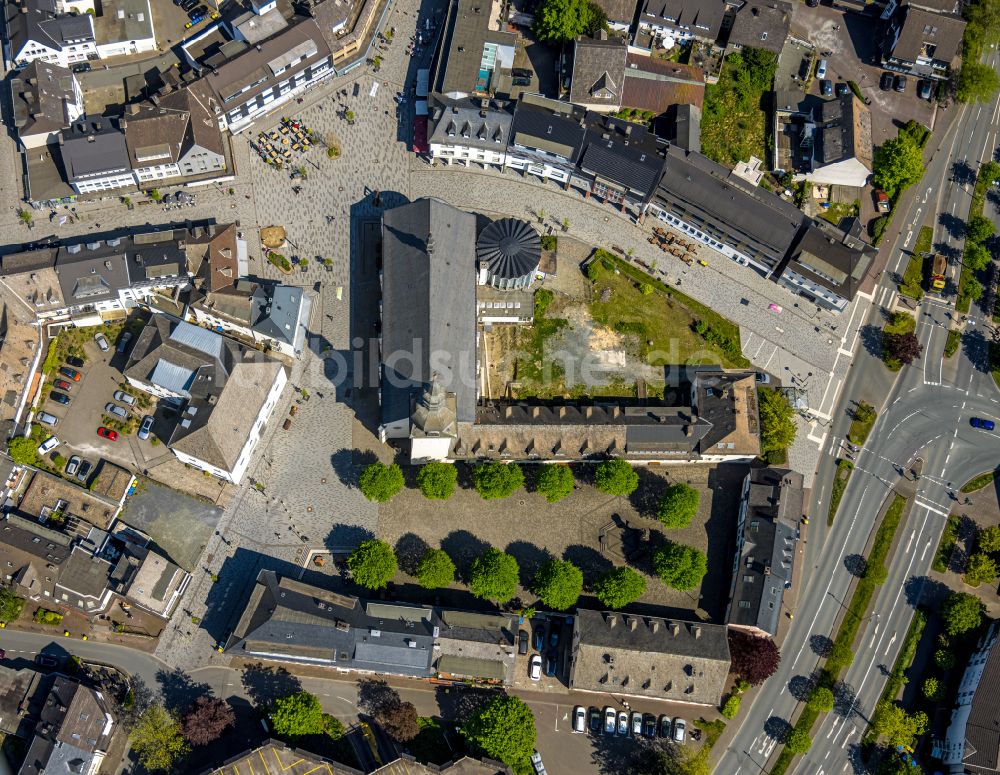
428	309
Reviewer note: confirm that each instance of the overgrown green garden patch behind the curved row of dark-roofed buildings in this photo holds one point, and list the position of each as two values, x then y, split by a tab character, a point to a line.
733	124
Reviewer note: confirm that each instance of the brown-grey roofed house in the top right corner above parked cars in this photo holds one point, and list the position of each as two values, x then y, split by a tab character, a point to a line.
923	43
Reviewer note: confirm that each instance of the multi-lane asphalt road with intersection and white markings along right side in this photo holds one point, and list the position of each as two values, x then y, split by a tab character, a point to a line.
925	414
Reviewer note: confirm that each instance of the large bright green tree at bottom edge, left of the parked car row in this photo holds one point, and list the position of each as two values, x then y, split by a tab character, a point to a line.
503	730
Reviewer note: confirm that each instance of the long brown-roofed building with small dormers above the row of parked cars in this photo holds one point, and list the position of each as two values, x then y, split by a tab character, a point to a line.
648	657
